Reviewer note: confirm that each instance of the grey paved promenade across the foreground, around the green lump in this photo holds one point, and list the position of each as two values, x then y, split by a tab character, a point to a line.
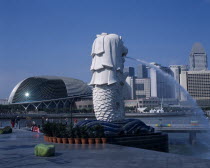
16	150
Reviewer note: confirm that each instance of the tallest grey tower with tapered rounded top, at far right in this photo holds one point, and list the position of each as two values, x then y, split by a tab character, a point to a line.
198	58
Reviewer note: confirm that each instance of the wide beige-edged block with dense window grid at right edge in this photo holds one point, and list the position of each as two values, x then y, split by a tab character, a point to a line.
197	83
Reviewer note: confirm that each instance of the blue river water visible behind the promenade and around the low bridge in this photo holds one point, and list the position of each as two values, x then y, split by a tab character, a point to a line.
178	142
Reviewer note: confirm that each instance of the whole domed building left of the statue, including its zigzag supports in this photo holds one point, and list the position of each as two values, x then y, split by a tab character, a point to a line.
49	91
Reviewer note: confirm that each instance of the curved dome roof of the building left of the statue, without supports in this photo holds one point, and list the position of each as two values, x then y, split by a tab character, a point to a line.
40	88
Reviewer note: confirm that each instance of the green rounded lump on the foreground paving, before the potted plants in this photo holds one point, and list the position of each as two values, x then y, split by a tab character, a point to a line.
44	150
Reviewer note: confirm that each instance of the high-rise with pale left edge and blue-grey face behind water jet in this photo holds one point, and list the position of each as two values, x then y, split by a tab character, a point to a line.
161	86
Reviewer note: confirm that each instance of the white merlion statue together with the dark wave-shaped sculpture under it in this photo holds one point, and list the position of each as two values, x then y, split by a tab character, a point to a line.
108	56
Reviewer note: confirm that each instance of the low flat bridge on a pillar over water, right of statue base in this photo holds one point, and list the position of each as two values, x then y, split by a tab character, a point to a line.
182	128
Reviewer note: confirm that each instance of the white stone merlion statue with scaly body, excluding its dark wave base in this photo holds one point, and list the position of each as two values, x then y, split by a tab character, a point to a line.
107	80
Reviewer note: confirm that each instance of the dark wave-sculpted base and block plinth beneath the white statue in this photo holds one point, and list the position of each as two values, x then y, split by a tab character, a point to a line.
132	133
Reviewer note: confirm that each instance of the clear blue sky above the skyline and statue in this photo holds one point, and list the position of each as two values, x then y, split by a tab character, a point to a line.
54	37
